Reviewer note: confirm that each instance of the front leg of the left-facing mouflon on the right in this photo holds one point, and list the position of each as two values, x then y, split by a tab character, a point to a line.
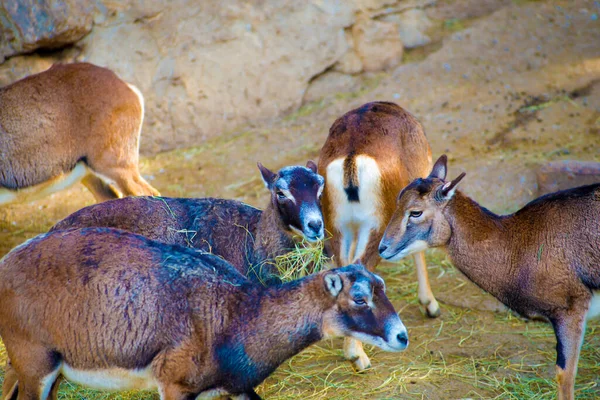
569	330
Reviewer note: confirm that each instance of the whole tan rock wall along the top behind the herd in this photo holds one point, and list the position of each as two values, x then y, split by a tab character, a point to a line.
206	67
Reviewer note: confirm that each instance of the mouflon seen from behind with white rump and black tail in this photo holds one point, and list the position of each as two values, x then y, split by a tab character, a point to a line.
371	153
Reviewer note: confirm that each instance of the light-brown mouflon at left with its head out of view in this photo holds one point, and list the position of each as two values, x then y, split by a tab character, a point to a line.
72	122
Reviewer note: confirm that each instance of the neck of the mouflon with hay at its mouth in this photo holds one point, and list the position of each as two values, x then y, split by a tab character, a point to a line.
273	238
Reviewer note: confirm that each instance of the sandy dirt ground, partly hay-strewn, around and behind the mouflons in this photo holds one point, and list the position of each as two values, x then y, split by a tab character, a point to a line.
505	86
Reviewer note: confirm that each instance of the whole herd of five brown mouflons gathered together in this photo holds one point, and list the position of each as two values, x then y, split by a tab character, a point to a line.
180	294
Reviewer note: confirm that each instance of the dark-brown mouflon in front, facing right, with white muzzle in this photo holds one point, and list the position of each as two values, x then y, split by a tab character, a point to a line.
113	310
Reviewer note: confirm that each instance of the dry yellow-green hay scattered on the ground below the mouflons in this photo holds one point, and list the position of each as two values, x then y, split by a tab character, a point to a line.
465	353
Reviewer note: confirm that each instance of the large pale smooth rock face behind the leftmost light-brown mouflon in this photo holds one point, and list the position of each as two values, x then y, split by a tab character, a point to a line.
207	67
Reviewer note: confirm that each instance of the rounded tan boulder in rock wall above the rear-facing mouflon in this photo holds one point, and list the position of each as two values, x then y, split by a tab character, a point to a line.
377	43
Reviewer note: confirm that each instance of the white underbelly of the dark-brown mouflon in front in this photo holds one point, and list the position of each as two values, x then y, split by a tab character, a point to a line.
112	378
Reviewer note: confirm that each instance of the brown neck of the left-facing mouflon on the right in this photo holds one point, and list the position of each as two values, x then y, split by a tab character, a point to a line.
478	245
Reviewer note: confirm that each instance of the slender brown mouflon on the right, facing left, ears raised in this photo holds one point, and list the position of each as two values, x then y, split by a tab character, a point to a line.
542	261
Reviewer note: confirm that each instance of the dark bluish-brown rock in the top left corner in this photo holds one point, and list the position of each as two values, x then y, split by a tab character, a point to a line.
28	25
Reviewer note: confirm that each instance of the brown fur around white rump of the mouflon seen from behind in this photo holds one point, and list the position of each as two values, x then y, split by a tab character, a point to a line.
396	141
